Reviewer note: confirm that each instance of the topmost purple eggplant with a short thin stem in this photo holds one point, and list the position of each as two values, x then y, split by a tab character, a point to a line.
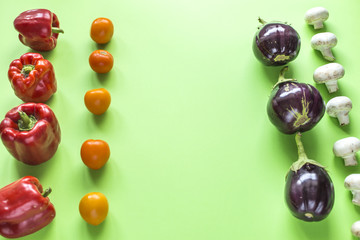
276	43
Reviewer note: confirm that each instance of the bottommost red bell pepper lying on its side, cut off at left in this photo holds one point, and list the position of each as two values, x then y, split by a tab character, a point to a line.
24	208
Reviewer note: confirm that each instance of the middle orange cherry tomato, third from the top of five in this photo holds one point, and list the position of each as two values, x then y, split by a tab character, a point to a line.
97	101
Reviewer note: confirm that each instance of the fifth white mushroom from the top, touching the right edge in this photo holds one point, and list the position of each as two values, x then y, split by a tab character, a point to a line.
346	148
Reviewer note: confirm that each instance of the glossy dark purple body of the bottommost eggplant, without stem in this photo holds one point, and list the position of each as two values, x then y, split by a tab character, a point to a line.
309	193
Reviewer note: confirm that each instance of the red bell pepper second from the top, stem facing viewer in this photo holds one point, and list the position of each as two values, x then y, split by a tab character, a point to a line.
32	77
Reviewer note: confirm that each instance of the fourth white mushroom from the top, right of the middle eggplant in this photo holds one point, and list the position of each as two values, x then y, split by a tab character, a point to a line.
339	107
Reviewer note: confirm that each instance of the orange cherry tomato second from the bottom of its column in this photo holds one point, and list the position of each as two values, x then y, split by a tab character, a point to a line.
95	153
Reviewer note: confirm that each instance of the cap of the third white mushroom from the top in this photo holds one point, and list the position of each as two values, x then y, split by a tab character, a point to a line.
330	71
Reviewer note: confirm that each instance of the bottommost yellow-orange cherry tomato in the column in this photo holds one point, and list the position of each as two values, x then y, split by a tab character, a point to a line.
94	208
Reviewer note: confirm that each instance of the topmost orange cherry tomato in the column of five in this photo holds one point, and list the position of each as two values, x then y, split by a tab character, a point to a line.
101	30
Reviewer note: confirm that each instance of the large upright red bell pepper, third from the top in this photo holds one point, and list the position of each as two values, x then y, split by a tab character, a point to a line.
31	133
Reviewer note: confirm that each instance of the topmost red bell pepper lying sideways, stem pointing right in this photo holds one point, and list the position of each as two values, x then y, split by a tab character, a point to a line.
38	29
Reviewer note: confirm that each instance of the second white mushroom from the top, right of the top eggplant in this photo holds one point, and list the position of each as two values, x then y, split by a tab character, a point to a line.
324	42
